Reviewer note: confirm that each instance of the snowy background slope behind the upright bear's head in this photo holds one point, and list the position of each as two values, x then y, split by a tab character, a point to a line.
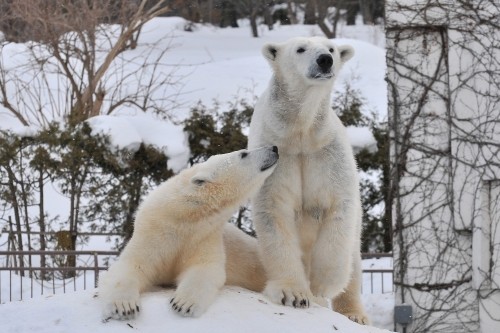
226	63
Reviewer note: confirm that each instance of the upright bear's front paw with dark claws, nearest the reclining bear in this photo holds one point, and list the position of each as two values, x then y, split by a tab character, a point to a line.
288	294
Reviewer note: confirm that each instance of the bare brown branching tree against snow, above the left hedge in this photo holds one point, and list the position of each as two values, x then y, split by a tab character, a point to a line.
72	56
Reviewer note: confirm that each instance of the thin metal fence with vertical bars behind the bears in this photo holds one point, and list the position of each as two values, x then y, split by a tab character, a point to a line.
18	283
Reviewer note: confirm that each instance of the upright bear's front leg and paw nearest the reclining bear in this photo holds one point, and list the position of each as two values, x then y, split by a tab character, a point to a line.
281	255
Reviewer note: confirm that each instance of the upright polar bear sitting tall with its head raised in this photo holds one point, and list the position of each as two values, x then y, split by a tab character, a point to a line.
308	213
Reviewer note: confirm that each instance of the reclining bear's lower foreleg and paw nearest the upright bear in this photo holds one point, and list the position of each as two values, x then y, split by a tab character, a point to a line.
197	288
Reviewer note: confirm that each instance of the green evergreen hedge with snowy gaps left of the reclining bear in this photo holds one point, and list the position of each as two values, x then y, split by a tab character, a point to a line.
103	185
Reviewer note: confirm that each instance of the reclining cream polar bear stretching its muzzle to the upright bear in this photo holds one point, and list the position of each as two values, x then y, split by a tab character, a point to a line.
178	234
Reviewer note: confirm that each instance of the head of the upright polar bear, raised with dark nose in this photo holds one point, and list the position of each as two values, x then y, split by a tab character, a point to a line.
313	60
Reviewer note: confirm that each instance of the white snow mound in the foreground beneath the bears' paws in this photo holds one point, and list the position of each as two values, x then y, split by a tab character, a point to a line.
235	310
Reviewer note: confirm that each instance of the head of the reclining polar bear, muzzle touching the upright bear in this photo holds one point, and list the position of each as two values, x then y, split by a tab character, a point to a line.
225	181
